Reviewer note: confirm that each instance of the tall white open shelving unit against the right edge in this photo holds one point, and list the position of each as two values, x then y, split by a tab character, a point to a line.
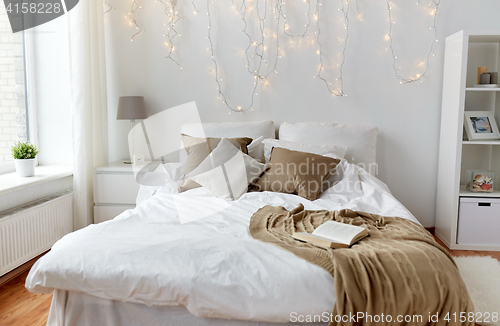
465	51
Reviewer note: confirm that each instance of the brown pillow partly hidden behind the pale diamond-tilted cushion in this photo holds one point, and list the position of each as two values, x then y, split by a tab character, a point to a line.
198	149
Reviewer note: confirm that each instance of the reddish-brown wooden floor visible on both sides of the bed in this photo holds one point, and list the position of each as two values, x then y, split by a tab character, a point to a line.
18	307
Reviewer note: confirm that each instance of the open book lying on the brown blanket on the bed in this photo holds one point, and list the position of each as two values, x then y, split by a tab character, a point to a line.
333	234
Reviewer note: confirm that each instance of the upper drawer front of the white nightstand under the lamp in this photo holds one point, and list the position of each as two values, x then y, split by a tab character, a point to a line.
115	188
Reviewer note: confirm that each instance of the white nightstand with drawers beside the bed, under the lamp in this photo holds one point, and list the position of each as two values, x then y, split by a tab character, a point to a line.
115	190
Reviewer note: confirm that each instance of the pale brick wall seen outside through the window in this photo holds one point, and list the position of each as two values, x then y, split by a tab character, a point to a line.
12	91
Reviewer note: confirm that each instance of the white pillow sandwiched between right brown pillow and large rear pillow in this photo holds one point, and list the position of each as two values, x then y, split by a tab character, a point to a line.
334	151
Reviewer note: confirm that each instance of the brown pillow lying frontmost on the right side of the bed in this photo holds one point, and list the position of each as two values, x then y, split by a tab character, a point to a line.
297	173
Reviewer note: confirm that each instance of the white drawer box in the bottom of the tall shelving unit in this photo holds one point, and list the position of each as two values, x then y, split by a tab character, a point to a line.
479	221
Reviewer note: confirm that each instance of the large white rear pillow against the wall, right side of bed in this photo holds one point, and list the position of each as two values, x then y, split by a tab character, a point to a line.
361	141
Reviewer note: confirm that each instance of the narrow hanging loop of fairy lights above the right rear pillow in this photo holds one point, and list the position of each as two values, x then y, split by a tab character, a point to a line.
345	11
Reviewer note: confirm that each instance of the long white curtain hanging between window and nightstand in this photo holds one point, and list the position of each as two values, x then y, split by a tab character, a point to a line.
88	103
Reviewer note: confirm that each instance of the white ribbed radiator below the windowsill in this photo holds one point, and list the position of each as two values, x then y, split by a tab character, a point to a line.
29	230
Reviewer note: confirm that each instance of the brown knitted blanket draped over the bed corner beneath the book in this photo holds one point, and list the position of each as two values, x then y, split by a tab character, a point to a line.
400	270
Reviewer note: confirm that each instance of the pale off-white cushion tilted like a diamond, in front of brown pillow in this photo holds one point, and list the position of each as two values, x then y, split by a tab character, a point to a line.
227	171
